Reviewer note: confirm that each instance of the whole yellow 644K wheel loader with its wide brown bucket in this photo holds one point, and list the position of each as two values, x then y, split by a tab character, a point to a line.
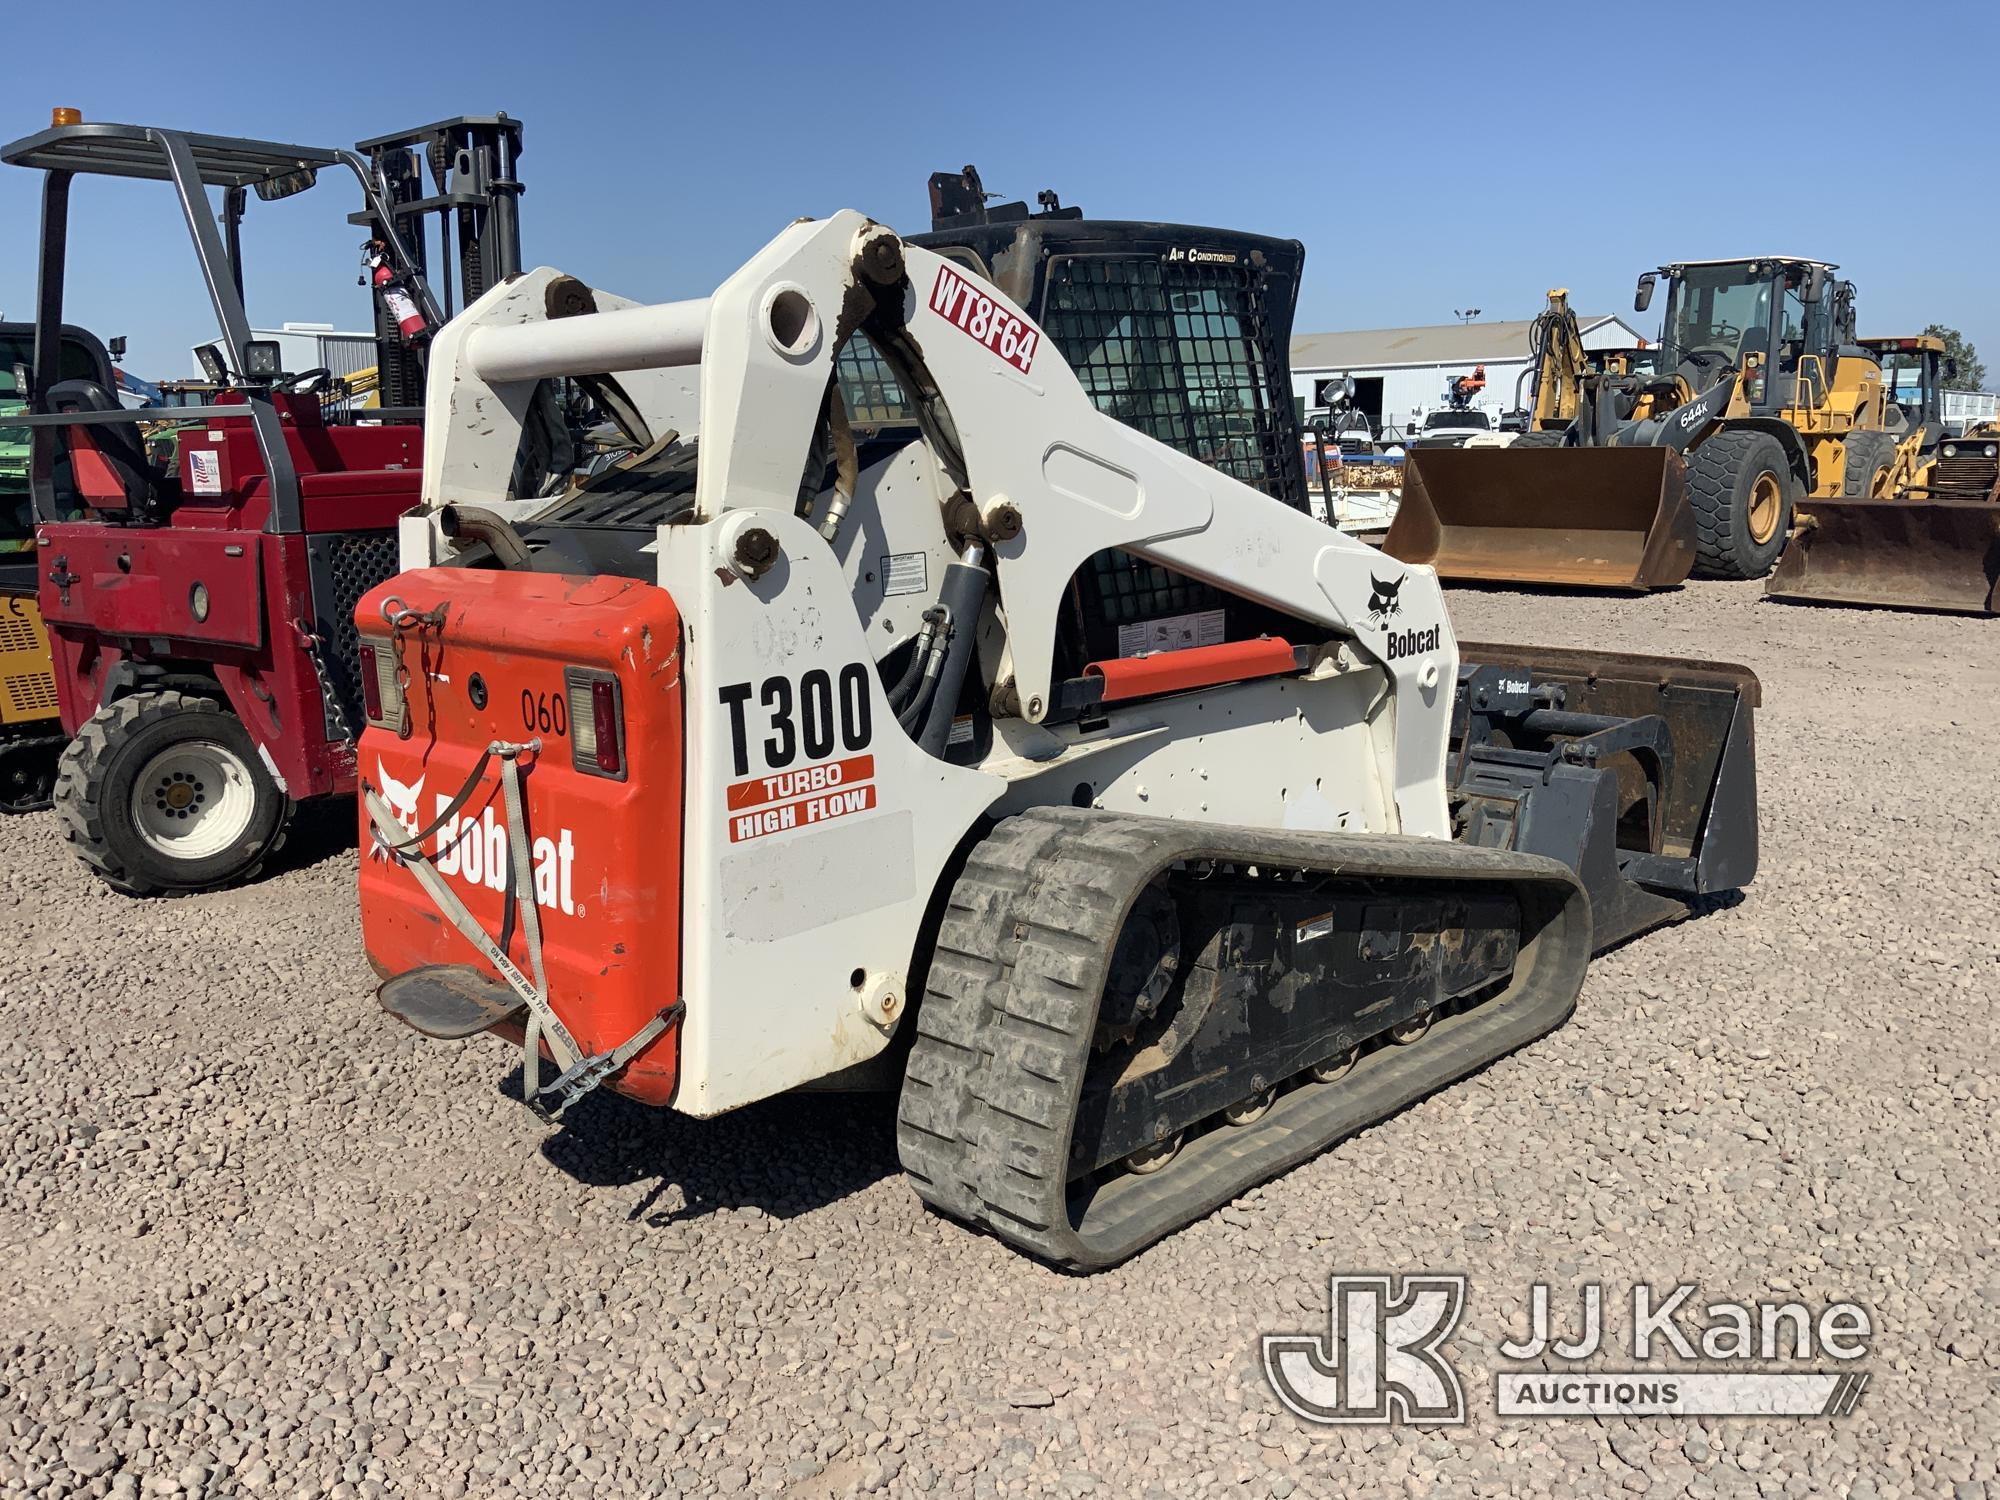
1689	461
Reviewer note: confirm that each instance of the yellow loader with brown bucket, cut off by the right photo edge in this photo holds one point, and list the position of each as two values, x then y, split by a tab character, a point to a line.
1917	523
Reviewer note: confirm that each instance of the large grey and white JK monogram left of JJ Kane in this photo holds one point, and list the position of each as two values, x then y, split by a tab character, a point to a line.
1381	1361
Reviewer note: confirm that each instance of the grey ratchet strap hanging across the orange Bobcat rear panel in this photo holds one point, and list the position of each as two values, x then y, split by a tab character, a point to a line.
577	1073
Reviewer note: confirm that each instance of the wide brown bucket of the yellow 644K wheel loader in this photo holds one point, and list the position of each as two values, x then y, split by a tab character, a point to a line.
1579	517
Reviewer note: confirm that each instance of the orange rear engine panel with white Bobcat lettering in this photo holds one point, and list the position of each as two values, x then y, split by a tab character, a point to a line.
607	851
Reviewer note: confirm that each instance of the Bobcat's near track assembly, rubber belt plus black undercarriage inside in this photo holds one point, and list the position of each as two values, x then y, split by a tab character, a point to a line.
1031	1069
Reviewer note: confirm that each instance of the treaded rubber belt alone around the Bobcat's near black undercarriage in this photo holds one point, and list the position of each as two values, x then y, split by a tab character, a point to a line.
1005	1029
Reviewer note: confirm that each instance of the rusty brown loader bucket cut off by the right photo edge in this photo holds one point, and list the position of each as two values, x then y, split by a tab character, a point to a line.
1903	555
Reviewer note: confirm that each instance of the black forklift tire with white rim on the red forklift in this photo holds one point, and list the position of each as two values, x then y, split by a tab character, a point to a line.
165	793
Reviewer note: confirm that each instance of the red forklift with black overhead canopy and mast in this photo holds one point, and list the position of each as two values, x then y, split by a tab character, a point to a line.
201	593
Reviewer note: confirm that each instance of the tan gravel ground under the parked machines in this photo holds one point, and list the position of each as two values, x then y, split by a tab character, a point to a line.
255	1239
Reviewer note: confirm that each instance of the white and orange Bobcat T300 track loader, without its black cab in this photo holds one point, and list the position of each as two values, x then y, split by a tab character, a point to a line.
799	753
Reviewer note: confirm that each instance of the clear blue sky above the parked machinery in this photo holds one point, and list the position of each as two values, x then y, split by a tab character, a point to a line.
1431	157
